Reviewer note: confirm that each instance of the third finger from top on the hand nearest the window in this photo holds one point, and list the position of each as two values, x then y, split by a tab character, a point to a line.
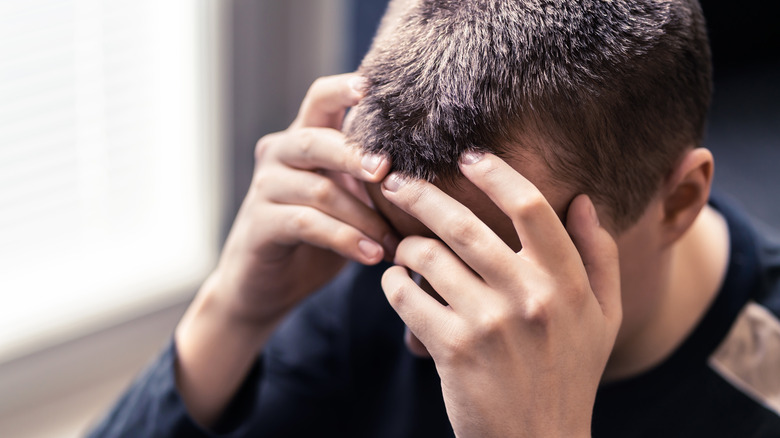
310	189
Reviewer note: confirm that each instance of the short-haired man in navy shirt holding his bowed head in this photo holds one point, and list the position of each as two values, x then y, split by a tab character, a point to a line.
533	171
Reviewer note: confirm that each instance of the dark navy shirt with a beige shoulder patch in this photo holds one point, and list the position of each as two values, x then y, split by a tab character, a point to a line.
338	367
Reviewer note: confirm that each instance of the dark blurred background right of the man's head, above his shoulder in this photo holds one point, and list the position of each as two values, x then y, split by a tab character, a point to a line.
744	125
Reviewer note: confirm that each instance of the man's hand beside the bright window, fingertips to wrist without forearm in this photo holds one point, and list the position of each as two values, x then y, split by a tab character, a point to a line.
305	211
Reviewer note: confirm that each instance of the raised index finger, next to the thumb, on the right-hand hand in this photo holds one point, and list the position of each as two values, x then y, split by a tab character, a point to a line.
541	232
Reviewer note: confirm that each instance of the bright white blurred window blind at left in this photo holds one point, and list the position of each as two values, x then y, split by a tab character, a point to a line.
108	171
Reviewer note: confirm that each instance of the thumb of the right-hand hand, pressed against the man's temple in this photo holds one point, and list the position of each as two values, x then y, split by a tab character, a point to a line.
599	255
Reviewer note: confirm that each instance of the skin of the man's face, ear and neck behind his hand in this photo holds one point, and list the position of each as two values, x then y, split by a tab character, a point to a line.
672	260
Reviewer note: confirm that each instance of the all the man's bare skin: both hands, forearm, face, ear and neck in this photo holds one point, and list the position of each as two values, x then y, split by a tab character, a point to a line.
530	306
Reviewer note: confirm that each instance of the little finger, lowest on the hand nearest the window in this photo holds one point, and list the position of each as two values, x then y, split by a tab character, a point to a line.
300	224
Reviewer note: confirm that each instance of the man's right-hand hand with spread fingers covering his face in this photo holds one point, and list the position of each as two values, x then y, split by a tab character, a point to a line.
523	338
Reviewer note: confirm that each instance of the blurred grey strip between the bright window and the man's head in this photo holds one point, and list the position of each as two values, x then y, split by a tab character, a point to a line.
279	48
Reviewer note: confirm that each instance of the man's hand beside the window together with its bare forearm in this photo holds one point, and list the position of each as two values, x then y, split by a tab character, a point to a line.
305	214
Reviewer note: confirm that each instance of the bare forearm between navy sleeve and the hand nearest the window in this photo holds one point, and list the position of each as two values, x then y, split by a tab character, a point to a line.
214	354
